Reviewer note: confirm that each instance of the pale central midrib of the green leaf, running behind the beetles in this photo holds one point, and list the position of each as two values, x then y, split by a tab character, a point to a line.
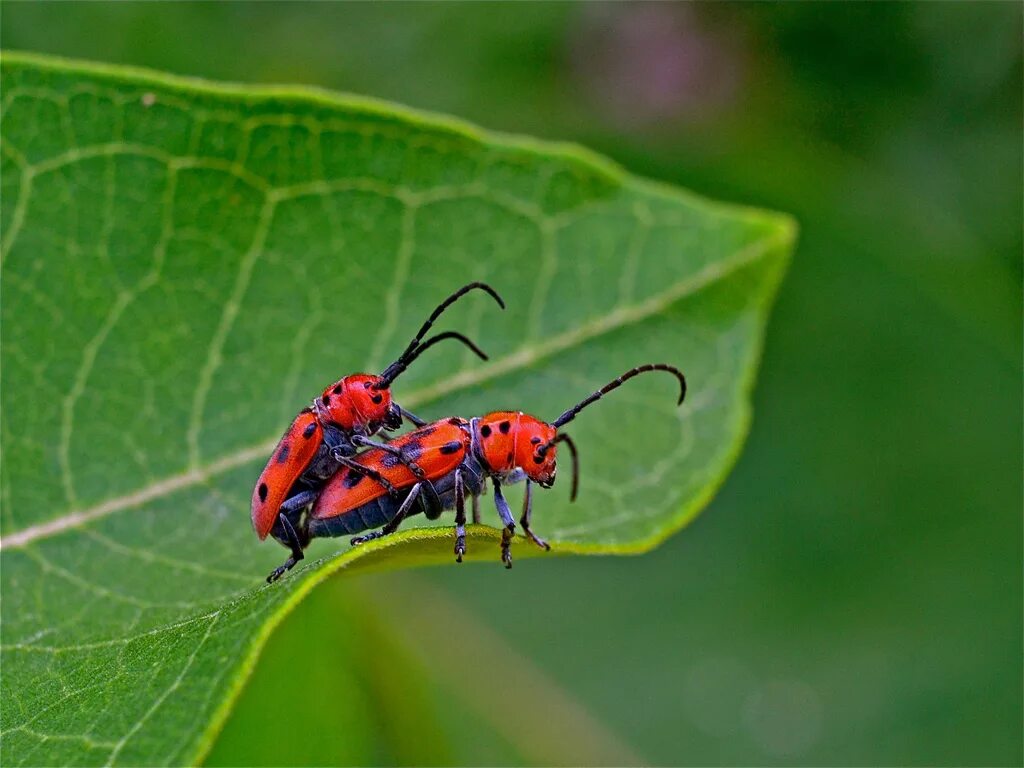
526	357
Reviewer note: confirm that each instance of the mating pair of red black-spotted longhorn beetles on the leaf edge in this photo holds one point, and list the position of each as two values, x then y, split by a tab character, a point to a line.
325	492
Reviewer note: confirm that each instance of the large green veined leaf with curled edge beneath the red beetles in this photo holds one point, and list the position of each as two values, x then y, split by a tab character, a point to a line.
186	266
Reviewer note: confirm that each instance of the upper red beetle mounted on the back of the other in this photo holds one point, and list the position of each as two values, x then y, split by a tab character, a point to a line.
327	435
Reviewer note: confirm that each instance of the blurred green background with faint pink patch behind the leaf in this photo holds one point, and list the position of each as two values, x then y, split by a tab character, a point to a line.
854	595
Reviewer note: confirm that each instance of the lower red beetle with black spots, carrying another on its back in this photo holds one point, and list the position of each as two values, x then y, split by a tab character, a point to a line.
457	457
